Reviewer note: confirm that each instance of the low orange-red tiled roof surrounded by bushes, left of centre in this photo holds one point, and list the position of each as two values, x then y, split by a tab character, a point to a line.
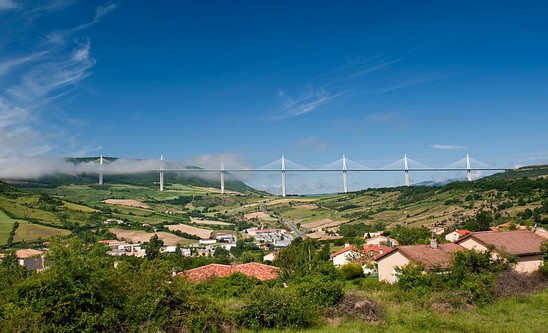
252	270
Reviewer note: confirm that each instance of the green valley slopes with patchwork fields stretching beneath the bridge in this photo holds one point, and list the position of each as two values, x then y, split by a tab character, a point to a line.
60	202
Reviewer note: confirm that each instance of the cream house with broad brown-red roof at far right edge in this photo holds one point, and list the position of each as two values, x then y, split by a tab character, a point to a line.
523	244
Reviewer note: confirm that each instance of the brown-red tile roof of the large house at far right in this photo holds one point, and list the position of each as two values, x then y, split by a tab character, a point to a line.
516	242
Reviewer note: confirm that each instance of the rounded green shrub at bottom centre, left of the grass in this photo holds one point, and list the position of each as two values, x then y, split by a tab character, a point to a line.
277	308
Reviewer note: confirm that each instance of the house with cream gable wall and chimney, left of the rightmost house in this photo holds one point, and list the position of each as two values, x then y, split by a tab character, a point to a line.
429	256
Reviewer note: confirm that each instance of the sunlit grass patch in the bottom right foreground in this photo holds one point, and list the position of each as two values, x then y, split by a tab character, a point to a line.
514	314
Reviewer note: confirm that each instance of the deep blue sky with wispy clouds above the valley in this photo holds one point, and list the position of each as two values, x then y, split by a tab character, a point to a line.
245	82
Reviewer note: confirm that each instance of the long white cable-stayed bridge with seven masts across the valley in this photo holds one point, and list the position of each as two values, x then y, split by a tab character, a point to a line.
343	165
